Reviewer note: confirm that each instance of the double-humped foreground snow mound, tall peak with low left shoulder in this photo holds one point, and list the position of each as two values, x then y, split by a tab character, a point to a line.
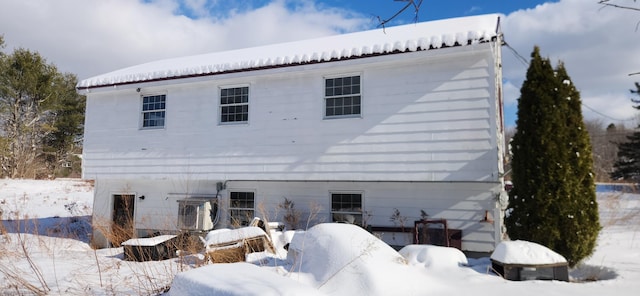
327	259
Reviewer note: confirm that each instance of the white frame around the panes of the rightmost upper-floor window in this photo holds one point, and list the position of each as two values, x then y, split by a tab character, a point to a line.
350	95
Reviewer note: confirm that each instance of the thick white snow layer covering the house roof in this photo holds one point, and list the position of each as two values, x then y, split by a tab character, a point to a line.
412	37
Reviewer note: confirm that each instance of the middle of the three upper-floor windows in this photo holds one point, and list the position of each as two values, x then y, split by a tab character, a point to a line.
234	104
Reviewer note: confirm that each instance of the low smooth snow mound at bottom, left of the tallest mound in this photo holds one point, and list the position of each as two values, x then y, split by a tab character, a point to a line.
236	279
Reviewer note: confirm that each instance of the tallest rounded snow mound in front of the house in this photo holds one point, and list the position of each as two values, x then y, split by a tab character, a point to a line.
344	259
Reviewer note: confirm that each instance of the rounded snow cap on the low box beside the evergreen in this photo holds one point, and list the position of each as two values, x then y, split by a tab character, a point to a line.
523	252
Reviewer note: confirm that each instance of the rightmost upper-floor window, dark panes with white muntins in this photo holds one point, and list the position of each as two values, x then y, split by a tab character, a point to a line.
342	97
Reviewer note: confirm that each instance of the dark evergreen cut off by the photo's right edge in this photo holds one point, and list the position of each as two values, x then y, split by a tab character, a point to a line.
627	167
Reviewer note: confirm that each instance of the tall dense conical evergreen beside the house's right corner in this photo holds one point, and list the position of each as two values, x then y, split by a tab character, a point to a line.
553	197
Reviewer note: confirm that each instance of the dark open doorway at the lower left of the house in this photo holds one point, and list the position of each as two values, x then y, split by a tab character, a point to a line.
122	223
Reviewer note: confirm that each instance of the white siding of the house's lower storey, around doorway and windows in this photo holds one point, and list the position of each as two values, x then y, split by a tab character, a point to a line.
462	204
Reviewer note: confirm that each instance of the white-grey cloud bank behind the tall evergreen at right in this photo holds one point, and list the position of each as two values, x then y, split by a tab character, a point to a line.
598	46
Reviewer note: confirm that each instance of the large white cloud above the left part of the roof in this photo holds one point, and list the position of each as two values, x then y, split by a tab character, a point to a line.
91	37
